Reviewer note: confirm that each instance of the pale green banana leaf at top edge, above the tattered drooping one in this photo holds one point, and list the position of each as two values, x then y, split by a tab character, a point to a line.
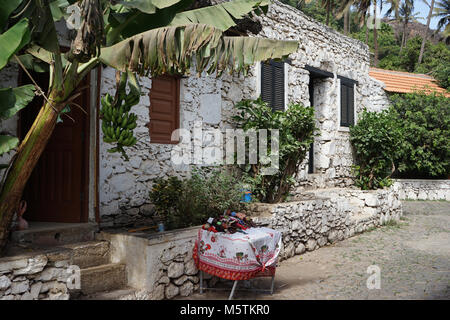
220	16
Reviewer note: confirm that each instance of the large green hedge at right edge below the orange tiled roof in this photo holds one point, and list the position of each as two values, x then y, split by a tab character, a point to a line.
425	120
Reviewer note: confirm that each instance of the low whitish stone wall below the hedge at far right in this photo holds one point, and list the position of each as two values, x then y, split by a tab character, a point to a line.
421	189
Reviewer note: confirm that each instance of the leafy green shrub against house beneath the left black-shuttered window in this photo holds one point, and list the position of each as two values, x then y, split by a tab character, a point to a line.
296	129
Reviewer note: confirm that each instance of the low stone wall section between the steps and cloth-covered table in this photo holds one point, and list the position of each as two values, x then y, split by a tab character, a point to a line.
160	265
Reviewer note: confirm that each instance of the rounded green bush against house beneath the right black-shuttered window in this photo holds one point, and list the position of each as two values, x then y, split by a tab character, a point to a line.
376	140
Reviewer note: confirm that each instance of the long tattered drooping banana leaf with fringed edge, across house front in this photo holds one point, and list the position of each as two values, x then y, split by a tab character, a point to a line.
171	49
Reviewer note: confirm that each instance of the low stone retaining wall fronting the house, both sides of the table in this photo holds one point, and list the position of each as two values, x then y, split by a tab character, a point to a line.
162	267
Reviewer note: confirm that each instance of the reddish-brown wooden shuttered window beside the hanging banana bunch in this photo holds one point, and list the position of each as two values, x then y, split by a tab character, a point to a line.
164	109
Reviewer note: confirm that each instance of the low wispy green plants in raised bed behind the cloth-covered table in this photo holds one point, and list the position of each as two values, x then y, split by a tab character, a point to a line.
190	202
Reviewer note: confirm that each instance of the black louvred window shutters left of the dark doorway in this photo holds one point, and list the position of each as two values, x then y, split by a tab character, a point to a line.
272	84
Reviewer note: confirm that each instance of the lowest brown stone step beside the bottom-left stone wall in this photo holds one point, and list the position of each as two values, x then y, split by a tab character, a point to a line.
103	278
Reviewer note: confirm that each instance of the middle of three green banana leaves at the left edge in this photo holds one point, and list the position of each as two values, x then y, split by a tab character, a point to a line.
15	99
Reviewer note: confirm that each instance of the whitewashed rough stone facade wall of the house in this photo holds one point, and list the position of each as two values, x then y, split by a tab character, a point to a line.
124	186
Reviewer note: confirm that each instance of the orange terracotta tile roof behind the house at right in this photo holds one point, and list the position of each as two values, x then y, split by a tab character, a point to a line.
404	82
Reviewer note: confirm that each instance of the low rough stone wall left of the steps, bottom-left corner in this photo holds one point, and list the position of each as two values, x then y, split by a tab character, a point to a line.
34	277
